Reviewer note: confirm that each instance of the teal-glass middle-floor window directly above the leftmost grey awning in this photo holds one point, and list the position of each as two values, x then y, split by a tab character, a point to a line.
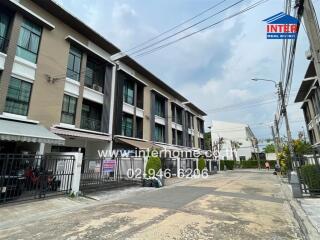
18	97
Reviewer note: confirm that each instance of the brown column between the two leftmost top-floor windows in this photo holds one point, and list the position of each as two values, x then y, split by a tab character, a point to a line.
11	53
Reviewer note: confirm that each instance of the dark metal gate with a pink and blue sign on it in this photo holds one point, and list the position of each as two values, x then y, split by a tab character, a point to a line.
104	174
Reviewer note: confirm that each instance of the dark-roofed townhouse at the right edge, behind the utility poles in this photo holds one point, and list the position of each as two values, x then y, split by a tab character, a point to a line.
309	96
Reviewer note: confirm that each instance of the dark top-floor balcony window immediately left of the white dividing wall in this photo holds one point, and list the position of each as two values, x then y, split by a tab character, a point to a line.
95	75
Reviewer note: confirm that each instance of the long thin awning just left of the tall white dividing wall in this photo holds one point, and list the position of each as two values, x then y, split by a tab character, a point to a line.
80	133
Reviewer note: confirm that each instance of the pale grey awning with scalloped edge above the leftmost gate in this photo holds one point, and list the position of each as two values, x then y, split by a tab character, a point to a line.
27	132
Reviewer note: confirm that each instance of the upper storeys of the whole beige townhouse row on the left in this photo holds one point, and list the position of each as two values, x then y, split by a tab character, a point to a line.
60	92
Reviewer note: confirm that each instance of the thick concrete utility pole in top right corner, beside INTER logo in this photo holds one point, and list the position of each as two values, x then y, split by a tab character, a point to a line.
313	32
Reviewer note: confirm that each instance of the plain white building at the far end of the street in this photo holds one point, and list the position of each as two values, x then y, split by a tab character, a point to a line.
237	140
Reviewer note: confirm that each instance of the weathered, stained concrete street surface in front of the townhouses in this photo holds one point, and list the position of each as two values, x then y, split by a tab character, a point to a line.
232	205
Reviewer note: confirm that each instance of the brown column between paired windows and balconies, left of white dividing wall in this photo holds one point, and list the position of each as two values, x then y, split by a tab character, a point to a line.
80	98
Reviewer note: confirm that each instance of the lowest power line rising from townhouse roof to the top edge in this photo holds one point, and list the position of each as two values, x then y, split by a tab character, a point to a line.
203	29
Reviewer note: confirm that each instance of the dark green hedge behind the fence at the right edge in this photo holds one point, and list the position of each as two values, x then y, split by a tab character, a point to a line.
311	177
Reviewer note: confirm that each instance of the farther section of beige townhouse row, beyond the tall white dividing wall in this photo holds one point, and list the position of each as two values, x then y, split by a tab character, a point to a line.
149	113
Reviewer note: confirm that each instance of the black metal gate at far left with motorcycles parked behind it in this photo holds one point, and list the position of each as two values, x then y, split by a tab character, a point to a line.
27	177
